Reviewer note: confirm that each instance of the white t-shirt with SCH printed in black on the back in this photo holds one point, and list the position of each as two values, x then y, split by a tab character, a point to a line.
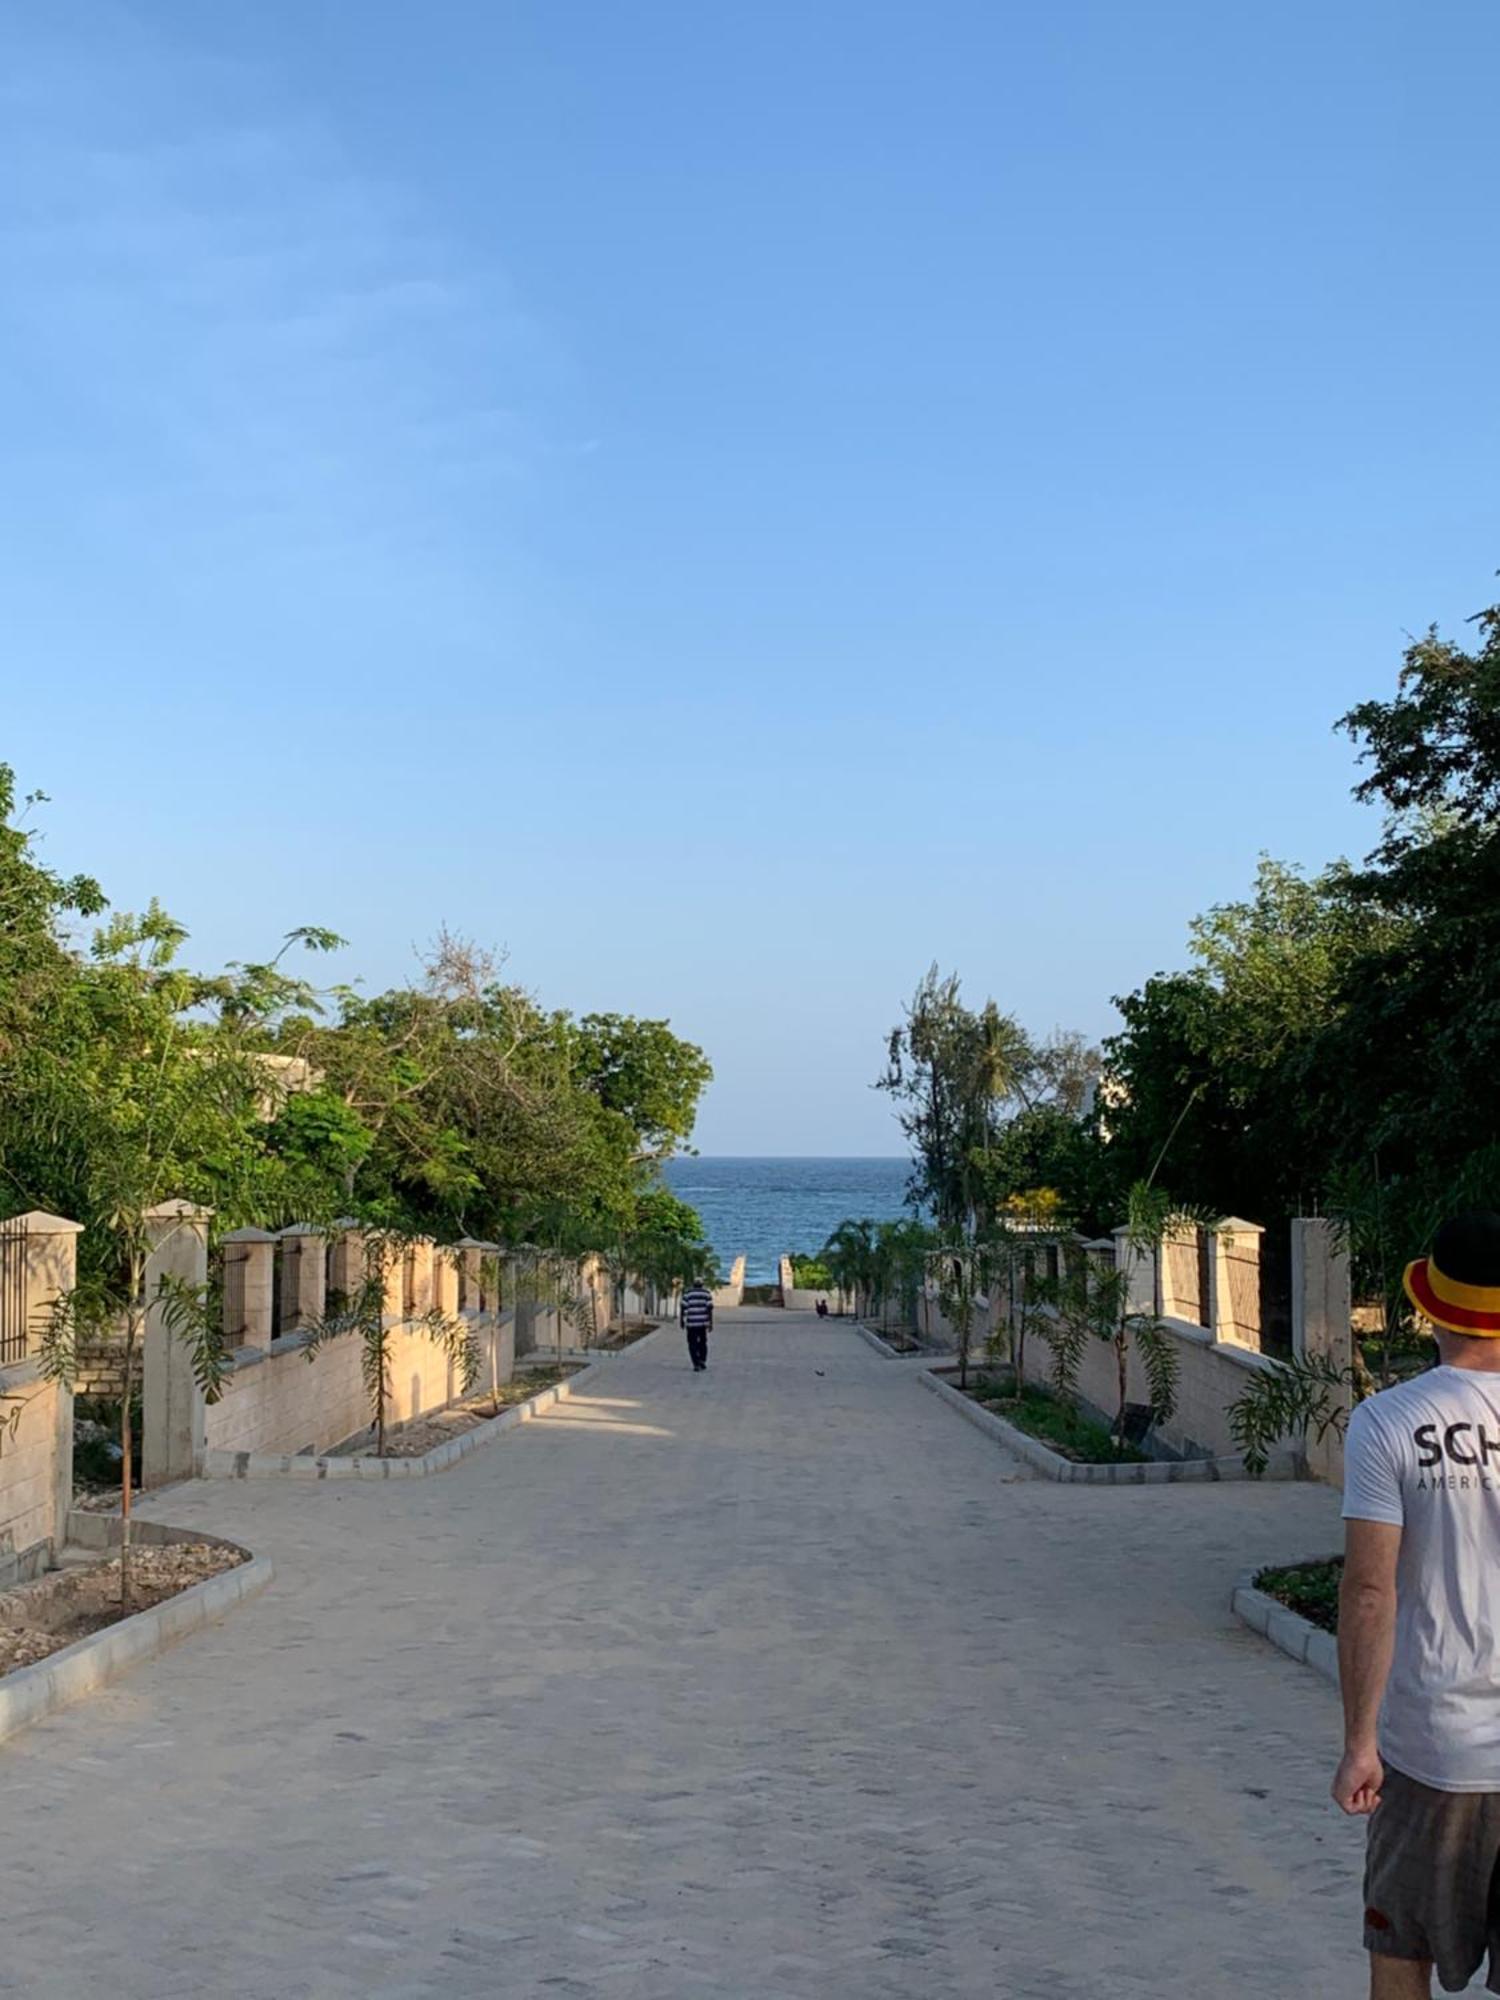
1425	1457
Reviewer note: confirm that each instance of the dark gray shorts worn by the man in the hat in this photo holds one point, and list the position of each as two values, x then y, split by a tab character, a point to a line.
1433	1879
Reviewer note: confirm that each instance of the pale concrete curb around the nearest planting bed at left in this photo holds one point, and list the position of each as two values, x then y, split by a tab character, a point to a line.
85	1667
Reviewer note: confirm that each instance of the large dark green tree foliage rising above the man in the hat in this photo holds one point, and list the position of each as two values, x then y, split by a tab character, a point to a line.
1337	1039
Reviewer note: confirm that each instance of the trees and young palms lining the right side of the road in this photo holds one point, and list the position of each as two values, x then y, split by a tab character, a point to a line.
1329	1049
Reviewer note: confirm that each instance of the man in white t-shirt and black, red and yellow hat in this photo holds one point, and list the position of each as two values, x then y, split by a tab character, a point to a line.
1419	1633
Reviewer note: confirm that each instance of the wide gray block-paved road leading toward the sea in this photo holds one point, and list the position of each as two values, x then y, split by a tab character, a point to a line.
779	1681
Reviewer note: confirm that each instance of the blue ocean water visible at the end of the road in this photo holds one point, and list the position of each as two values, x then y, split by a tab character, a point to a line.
765	1207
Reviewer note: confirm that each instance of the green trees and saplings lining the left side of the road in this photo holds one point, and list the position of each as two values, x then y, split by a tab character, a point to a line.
453	1107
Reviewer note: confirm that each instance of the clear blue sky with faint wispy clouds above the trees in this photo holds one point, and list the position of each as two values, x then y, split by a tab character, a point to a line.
733	503
